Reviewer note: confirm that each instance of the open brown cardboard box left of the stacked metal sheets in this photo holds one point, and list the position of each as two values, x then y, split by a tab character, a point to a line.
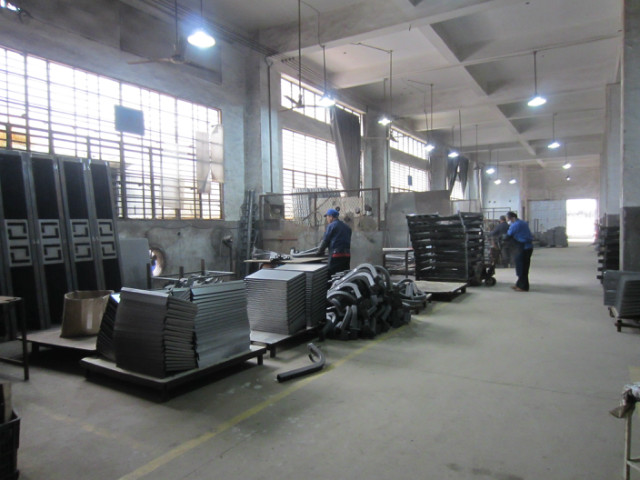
83	311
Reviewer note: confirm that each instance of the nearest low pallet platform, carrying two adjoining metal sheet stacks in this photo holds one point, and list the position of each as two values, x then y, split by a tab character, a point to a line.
164	385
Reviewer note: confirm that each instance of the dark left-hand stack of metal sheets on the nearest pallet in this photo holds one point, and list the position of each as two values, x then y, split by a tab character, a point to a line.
154	333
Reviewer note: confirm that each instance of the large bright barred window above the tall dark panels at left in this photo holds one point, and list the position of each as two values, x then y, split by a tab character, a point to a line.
56	109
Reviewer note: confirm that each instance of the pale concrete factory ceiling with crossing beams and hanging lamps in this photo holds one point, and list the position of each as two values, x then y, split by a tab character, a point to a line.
477	54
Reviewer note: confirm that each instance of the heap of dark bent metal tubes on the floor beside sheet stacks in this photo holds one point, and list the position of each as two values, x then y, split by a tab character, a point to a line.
364	302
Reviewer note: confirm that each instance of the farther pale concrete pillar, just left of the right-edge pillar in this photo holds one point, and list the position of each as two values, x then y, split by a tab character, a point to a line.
611	158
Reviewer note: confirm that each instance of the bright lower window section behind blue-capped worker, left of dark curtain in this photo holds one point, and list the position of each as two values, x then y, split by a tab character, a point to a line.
308	163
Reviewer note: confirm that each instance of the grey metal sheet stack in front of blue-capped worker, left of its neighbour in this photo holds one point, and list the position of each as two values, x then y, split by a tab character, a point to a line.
276	301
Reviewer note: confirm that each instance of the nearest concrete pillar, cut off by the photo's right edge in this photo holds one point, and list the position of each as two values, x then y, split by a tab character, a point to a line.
630	171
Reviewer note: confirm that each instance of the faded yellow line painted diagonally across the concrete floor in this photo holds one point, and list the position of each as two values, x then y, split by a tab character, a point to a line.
205	437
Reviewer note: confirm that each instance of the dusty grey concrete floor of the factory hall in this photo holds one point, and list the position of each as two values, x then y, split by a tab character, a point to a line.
493	385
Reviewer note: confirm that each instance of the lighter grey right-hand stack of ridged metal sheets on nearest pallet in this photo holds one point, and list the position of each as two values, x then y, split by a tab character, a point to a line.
222	324
